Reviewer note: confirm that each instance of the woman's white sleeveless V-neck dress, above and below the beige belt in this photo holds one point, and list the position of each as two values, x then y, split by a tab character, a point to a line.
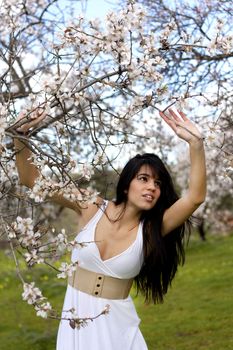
119	329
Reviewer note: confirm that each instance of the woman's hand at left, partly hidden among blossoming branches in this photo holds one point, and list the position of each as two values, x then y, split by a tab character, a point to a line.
29	121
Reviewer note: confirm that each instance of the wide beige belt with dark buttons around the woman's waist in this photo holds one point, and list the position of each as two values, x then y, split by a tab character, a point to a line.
100	285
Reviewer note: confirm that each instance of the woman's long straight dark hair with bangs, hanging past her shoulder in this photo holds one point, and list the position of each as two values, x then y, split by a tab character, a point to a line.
162	254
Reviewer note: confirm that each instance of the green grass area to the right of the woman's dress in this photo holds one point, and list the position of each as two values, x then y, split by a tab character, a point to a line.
198	310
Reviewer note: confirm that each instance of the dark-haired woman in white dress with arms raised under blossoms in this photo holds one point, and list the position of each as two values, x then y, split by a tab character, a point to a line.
138	237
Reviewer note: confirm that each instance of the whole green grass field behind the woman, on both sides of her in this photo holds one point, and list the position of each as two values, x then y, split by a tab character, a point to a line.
197	312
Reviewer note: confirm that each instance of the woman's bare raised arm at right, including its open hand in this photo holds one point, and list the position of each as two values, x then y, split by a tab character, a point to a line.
183	208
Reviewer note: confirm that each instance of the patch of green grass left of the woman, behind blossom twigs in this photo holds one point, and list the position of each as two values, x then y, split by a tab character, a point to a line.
20	328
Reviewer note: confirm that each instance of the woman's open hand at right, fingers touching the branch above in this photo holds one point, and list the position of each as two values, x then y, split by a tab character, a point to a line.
182	126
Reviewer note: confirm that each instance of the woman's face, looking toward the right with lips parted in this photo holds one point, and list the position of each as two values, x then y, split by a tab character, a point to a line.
144	189
